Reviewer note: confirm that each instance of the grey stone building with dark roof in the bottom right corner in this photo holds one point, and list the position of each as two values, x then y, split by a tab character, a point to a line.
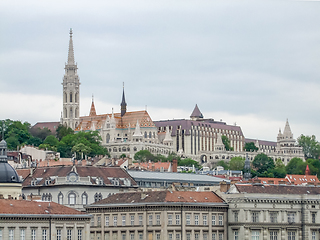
262	211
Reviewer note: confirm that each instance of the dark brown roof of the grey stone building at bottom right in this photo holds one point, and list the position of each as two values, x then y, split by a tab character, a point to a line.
276	189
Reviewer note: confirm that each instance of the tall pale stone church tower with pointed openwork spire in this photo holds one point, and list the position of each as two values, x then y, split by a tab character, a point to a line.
71	87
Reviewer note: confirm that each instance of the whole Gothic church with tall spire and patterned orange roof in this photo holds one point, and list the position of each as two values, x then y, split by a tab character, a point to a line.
123	133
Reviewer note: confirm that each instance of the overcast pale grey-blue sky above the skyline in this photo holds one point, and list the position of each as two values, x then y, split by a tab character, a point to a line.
250	63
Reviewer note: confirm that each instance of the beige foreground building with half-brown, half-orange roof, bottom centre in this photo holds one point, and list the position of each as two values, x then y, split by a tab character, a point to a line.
159	215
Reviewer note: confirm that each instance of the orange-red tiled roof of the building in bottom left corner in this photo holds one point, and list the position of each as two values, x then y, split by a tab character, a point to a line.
10	206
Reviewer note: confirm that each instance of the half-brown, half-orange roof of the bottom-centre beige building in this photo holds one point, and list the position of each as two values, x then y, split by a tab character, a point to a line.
161	197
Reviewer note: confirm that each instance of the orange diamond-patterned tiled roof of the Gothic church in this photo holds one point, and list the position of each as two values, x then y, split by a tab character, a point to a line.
128	120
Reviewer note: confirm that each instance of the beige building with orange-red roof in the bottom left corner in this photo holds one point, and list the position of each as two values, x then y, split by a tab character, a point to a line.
21	219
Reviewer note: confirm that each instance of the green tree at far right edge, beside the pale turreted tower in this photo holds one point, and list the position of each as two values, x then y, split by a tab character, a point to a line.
311	148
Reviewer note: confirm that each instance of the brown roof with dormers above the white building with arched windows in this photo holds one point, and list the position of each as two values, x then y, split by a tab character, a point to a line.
43	173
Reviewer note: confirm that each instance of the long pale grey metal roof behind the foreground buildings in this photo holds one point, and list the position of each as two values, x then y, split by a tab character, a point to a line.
175	177
